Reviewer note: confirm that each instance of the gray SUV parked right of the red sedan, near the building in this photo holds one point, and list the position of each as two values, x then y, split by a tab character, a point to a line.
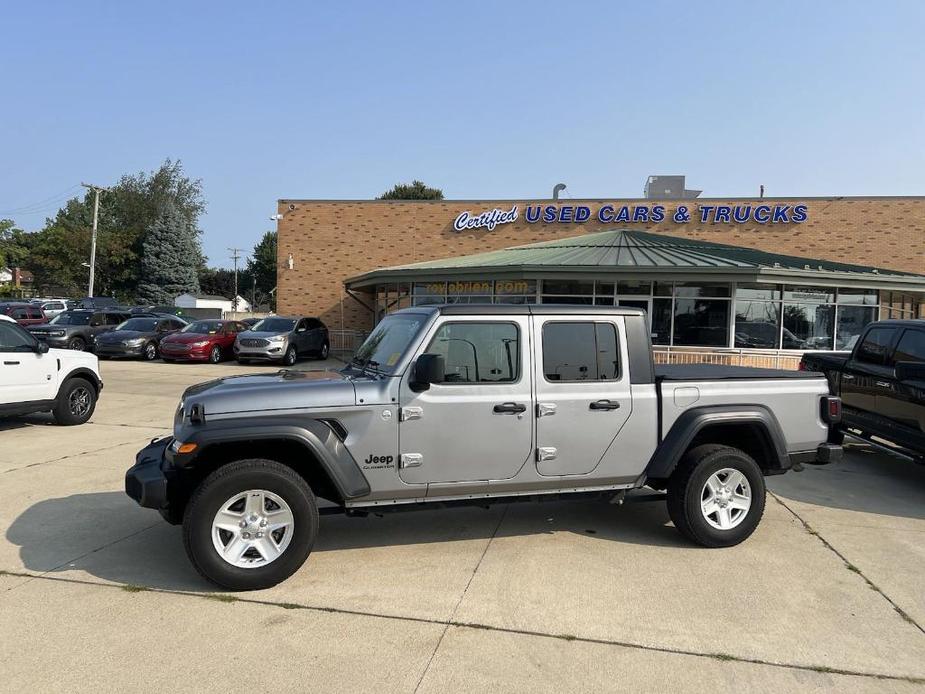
283	339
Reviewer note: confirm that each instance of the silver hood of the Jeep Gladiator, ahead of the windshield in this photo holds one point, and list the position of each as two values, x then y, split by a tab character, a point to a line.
280	390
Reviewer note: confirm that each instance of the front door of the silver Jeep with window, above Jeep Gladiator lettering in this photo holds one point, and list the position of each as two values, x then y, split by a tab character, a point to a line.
477	425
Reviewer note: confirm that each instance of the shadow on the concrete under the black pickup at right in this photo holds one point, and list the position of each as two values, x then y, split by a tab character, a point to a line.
867	480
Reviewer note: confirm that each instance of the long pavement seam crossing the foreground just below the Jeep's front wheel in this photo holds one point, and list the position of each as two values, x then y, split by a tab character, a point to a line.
232	599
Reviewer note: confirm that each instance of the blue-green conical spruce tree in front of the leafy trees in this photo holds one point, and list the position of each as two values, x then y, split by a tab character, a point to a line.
170	258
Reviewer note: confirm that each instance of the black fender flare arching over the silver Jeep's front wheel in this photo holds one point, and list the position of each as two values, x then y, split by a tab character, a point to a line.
313	435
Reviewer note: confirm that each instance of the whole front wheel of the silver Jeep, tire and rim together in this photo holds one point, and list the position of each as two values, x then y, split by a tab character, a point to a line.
250	525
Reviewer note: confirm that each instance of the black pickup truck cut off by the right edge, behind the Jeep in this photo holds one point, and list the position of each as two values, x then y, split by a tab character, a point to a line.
881	384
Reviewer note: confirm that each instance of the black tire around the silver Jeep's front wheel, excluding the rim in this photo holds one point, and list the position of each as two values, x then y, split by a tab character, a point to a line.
222	485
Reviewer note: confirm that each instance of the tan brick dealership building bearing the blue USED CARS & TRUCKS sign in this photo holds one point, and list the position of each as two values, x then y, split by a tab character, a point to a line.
323	243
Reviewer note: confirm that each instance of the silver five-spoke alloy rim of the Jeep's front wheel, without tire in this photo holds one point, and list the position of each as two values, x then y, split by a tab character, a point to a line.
252	528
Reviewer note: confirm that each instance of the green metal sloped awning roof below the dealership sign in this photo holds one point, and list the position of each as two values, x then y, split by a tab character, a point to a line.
641	255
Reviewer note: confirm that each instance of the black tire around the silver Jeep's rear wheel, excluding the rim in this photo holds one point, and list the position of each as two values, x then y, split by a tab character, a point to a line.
687	486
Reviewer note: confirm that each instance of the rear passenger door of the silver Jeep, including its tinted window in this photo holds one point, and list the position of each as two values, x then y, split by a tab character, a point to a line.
583	394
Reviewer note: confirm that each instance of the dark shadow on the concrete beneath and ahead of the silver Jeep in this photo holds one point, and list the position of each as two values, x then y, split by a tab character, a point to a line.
72	536
